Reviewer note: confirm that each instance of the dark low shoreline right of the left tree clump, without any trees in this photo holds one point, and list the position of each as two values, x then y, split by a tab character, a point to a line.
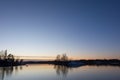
77	63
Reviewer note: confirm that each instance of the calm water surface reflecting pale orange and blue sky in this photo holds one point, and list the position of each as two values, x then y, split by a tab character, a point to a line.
51	72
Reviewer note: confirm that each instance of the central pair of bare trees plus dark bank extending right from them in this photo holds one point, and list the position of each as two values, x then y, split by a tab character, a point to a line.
64	61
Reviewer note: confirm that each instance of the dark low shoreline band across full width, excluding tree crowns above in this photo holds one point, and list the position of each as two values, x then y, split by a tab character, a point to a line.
69	63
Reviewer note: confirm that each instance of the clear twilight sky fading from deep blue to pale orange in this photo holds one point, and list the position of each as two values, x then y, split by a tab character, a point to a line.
82	28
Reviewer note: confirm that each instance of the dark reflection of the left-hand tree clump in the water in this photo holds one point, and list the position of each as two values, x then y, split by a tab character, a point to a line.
7	71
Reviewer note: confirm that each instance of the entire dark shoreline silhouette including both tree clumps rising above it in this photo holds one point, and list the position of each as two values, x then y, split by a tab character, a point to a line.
63	60
